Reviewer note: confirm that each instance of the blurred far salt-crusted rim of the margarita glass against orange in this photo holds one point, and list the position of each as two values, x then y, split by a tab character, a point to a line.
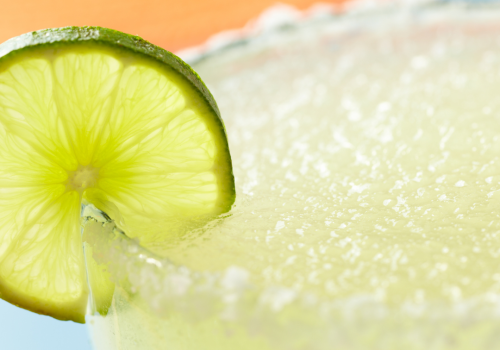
282	17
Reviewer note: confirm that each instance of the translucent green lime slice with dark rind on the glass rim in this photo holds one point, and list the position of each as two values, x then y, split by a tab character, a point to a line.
94	115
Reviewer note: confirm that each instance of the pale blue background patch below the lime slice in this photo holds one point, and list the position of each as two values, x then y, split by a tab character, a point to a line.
24	330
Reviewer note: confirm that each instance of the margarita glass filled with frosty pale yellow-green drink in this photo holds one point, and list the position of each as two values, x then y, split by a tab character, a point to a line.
366	155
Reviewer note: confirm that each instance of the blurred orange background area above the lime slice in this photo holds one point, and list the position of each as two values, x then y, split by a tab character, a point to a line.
172	24
